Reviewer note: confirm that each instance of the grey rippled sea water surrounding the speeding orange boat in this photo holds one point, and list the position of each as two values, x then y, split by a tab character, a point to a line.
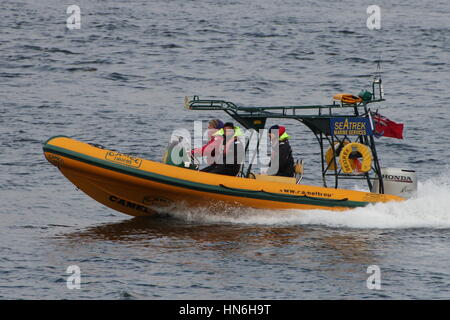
120	81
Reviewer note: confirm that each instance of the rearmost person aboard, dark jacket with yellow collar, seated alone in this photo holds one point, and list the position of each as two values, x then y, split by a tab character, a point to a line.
281	151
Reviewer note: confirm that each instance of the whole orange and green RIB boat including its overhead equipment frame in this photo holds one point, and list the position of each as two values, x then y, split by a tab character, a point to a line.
138	187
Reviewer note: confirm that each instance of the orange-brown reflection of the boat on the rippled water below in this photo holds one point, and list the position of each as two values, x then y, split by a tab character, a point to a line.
293	245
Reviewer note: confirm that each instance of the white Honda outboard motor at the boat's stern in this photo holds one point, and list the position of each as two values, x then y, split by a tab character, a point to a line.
399	182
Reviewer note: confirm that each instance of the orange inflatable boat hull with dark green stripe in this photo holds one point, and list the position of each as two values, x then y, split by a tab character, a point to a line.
140	187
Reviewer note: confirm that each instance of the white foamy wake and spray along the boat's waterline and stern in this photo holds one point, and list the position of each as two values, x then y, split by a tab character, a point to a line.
429	209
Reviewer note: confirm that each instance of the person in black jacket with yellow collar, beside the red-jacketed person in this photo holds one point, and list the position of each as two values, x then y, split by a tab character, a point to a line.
230	153
